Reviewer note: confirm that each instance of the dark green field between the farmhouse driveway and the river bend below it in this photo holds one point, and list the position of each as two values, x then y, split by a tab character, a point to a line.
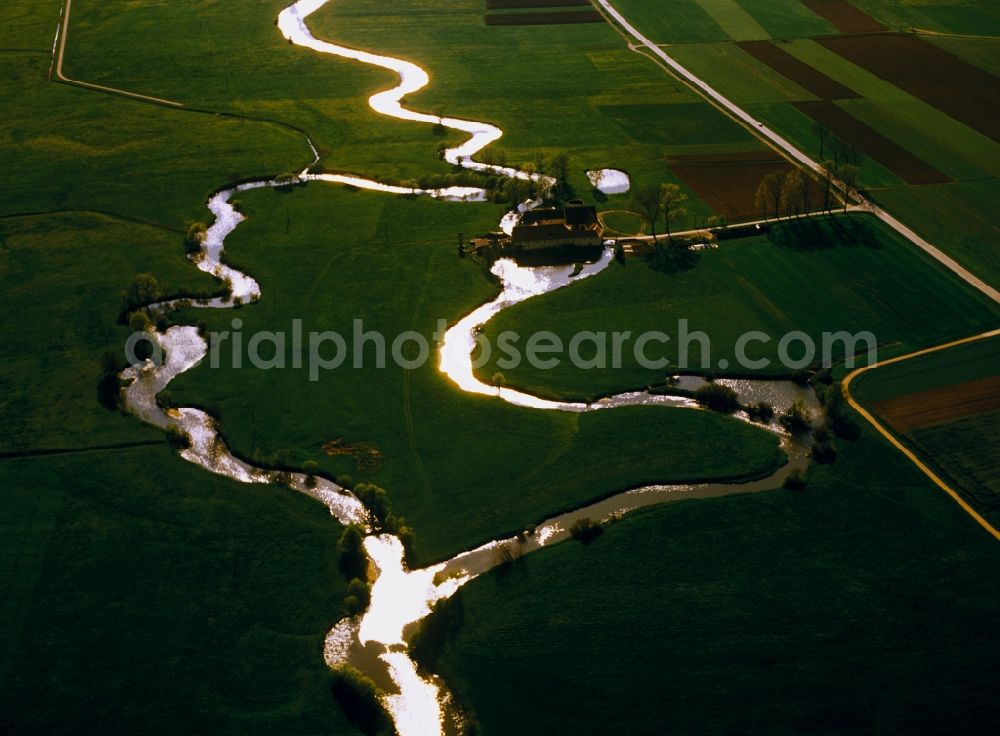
849	274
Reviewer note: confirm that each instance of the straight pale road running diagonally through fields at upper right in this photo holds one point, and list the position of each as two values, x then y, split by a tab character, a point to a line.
790	150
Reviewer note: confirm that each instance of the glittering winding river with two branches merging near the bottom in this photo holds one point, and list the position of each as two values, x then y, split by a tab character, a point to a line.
374	642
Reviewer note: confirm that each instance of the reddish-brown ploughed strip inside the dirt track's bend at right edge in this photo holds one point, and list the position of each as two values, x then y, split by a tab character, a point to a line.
922	408
